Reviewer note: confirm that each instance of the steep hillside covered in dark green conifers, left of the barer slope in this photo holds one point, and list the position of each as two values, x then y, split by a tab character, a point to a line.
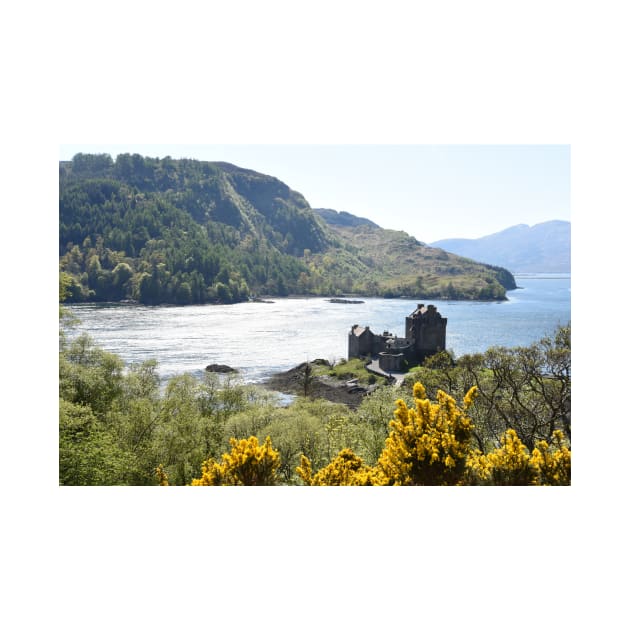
179	231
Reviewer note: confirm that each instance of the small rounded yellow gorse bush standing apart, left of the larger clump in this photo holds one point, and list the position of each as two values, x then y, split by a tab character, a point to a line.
247	464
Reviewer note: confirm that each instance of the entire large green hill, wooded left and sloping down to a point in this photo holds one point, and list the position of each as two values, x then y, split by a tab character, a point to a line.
185	231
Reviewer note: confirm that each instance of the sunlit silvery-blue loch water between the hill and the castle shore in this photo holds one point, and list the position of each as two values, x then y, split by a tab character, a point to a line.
259	338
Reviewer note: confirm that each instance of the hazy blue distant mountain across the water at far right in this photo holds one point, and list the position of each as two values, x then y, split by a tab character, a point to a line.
544	247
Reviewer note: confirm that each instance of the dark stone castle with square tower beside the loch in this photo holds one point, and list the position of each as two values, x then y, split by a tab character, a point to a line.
425	334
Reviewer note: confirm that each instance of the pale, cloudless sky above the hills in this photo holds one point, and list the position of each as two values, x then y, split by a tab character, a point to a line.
432	192
